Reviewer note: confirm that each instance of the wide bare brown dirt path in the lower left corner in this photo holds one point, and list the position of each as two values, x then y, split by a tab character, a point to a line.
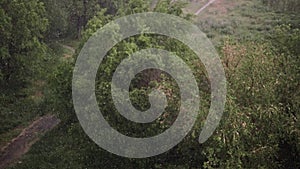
21	144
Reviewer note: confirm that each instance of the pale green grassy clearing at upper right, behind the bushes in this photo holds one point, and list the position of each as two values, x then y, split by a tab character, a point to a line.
242	20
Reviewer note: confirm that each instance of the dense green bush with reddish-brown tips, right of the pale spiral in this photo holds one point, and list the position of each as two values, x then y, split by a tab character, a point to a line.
256	130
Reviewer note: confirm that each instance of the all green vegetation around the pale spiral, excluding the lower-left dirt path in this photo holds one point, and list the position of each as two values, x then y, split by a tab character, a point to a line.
258	42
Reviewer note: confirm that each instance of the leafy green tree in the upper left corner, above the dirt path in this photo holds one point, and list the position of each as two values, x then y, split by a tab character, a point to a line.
22	26
